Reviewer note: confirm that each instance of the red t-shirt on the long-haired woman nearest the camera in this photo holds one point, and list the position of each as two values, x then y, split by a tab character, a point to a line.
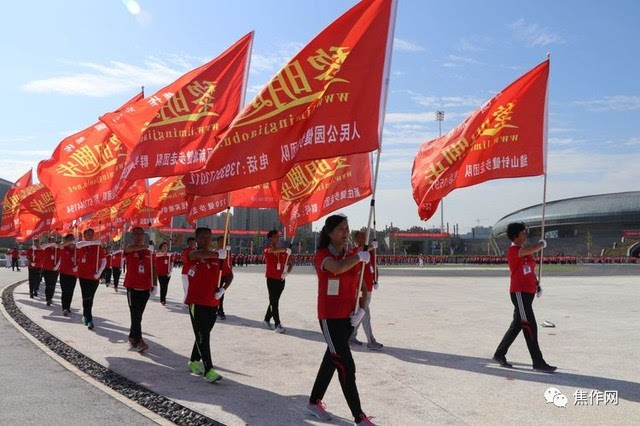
336	293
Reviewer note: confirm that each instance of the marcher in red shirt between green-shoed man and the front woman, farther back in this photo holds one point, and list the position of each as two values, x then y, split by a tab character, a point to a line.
275	259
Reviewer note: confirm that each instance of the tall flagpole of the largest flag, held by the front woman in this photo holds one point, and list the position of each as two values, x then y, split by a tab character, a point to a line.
383	106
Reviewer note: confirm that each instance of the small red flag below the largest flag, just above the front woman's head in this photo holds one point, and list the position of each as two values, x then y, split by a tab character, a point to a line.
316	188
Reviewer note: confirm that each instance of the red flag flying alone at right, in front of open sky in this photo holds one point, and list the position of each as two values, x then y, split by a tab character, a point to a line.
504	138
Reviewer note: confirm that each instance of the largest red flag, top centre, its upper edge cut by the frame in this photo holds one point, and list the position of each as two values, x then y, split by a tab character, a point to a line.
325	102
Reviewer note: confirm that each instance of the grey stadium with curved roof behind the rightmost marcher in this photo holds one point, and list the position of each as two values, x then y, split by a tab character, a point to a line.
595	225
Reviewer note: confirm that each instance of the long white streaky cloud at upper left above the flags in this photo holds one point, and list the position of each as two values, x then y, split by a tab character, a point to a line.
100	80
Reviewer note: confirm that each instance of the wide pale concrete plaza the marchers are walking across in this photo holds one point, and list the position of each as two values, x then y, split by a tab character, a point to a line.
439	334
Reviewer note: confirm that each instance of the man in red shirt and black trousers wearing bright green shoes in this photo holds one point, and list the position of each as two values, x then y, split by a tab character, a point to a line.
203	299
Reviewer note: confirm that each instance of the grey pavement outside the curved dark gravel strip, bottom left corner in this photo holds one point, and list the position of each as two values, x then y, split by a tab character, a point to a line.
37	390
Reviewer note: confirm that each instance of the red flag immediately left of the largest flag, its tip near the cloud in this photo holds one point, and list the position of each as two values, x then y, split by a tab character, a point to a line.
173	131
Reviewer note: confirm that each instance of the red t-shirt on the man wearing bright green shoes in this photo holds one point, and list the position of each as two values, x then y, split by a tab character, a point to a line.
203	279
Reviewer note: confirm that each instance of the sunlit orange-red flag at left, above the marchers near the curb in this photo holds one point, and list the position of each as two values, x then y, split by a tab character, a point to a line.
84	169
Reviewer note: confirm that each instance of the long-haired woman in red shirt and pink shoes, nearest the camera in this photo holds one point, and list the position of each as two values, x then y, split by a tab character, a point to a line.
338	280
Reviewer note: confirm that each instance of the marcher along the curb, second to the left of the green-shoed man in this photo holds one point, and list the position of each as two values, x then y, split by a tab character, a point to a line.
91	261
